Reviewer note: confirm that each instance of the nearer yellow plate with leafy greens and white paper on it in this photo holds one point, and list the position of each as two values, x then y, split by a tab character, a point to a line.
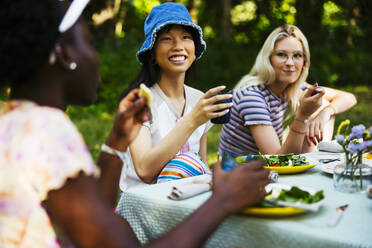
305	198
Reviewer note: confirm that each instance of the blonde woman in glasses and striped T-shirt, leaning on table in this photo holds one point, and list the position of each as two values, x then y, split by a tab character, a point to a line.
261	98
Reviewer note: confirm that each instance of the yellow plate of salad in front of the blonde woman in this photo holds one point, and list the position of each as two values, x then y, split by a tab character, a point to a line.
286	163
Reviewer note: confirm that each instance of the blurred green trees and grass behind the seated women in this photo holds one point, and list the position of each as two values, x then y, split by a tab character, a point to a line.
338	31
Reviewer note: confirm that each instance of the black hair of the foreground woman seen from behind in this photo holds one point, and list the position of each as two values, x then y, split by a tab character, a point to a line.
28	31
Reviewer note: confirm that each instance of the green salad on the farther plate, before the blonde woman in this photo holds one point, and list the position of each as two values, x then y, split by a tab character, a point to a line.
289	159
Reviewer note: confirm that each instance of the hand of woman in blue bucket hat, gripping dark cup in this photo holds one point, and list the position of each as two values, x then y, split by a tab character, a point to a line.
205	109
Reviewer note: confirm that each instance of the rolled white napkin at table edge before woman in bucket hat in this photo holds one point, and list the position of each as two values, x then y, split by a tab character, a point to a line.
187	190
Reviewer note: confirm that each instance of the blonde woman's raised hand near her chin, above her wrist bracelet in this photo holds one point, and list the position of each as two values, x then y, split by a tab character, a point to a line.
311	101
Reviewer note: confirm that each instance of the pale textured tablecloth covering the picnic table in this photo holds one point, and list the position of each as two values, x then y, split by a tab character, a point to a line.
151	214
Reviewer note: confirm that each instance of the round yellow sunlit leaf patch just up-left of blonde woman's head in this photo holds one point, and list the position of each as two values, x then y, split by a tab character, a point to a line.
243	12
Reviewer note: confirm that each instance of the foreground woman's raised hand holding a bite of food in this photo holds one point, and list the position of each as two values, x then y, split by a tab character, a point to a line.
131	113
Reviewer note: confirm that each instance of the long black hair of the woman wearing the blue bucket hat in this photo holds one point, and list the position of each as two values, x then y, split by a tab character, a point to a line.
150	71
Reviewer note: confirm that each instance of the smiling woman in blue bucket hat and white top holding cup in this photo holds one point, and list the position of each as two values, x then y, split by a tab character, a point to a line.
175	140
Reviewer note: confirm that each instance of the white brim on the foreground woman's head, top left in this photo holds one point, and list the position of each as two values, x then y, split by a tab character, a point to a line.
72	14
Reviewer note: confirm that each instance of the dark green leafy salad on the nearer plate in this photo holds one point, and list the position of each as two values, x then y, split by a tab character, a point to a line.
294	194
